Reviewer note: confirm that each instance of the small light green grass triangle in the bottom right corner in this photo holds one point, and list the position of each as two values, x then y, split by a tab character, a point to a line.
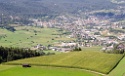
119	70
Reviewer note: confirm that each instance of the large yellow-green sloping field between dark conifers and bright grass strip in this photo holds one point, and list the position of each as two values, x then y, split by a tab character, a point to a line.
93	60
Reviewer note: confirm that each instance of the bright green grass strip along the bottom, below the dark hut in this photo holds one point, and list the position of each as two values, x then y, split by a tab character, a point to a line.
42	71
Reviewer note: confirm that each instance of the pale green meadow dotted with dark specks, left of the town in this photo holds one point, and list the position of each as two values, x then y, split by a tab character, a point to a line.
26	36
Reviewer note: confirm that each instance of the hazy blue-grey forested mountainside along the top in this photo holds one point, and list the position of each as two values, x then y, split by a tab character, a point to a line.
51	7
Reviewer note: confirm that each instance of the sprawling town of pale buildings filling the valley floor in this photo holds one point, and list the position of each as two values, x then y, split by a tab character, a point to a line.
88	32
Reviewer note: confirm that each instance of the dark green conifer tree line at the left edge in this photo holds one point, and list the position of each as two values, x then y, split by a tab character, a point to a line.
11	53
